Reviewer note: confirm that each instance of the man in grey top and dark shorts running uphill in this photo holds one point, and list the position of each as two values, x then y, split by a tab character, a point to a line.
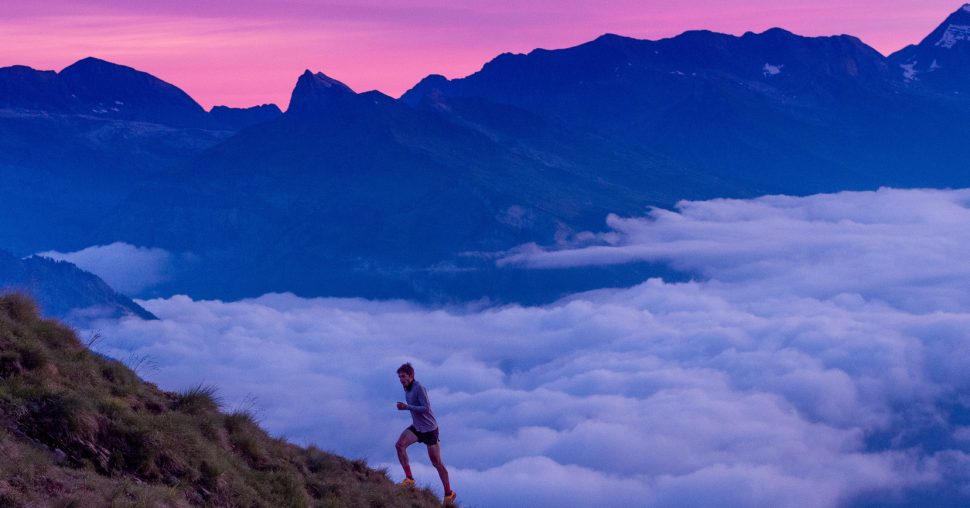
423	430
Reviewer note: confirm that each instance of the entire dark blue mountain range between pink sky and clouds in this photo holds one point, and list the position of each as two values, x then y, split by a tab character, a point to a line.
362	194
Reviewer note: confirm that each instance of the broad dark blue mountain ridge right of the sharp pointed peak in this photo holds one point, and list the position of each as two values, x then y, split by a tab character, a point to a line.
773	110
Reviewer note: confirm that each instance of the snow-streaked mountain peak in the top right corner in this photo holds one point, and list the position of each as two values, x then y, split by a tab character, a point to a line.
941	60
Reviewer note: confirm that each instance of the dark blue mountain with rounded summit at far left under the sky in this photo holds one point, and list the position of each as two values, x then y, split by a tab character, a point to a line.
74	143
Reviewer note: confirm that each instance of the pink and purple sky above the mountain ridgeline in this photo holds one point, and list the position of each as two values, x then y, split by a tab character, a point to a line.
246	52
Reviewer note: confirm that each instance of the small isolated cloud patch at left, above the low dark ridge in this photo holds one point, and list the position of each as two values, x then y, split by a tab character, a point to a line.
126	268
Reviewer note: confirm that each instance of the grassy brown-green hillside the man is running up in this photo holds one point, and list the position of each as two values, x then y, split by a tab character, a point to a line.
77	429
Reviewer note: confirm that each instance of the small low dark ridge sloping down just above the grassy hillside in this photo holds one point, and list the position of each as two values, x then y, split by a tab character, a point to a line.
64	291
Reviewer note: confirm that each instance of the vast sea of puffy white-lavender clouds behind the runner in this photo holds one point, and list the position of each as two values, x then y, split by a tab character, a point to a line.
820	356
